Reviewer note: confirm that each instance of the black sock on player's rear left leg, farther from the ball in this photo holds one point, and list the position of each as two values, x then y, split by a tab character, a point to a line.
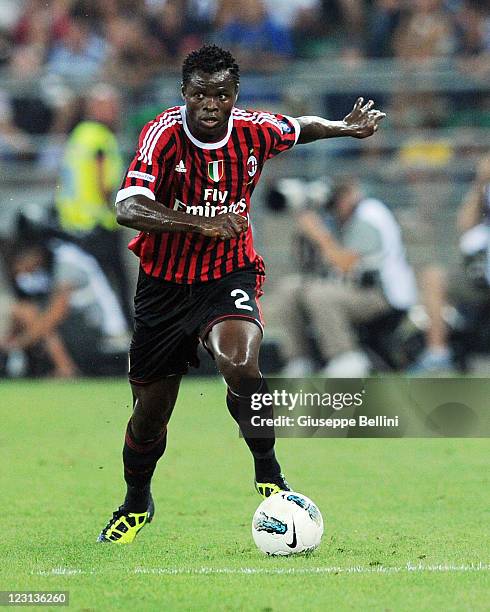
140	460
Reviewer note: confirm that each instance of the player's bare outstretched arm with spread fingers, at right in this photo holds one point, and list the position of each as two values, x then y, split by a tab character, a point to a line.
361	122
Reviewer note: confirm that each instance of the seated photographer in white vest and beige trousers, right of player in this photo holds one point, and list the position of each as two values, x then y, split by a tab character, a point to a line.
368	277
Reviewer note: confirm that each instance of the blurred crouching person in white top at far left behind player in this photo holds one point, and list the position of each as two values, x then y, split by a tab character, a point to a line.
65	319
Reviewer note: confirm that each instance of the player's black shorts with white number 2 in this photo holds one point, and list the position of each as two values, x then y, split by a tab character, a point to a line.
171	319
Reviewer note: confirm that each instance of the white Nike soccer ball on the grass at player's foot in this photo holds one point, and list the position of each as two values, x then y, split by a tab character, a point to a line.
287	523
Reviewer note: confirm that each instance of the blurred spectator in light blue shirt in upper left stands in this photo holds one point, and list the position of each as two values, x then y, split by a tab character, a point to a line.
80	53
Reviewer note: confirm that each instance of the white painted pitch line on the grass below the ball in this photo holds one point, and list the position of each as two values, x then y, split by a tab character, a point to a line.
200	571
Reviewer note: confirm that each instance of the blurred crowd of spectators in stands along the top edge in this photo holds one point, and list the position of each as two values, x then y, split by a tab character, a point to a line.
131	41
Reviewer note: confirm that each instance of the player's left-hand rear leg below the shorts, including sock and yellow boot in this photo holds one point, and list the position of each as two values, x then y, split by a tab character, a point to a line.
144	444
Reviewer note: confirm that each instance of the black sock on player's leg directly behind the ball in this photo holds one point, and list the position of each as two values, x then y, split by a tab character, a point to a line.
262	449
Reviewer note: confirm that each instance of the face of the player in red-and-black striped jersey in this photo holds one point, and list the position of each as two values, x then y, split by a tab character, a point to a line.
209	99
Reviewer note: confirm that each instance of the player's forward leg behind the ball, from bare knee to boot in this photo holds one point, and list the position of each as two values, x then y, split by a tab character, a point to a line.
235	345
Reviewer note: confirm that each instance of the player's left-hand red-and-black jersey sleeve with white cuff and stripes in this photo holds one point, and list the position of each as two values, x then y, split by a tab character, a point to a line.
152	161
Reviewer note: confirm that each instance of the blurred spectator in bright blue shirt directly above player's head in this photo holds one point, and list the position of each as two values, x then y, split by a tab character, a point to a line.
253	37
